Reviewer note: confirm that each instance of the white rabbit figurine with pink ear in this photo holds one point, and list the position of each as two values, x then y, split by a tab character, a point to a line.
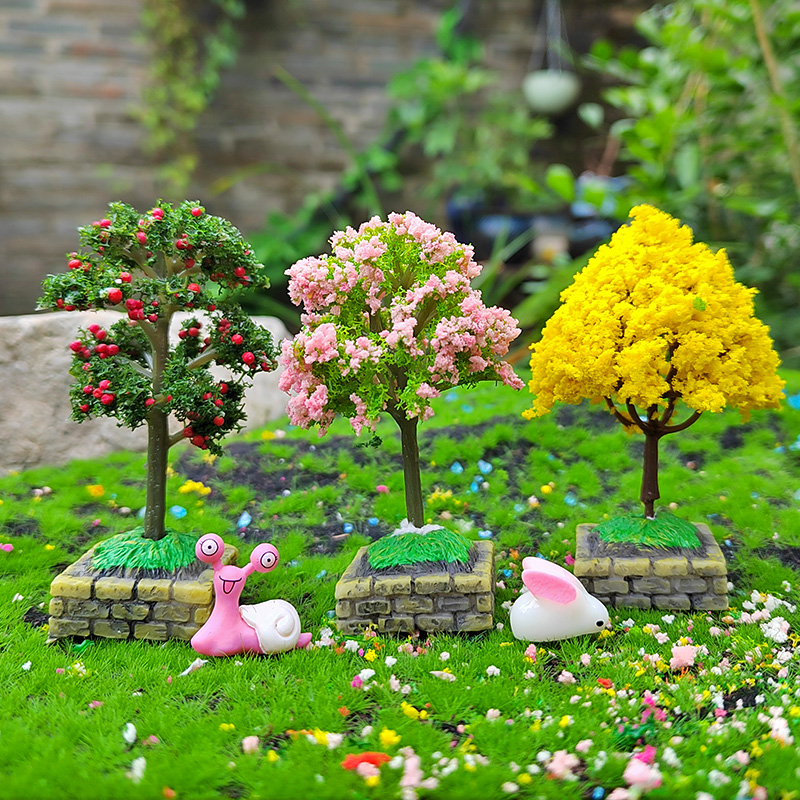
555	605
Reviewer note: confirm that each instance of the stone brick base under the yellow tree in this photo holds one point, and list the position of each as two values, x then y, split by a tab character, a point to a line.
670	579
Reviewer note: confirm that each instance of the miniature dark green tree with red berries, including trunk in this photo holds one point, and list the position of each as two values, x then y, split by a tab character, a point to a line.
151	266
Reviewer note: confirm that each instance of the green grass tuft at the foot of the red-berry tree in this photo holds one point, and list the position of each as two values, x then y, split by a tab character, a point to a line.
132	550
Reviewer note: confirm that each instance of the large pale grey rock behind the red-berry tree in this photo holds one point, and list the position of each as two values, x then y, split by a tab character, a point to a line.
35	428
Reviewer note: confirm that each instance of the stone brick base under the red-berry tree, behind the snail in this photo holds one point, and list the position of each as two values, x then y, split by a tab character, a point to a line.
87	604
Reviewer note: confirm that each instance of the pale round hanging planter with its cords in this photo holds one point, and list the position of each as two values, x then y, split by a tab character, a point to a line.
551	87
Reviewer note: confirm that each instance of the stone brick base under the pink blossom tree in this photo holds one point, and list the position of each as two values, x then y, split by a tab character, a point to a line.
406	601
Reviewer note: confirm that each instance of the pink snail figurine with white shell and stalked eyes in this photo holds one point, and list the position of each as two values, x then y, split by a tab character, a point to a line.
269	627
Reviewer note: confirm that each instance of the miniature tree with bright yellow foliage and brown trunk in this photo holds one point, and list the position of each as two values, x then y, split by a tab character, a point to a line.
654	319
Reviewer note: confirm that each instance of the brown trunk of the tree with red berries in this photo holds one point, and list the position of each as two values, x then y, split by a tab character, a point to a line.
157	440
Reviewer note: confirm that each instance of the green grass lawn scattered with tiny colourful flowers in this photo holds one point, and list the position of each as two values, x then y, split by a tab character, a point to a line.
590	717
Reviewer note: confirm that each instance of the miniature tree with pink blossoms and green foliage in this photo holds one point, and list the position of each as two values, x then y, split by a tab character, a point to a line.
390	322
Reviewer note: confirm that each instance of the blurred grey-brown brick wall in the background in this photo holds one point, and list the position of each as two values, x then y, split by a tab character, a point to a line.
71	70
